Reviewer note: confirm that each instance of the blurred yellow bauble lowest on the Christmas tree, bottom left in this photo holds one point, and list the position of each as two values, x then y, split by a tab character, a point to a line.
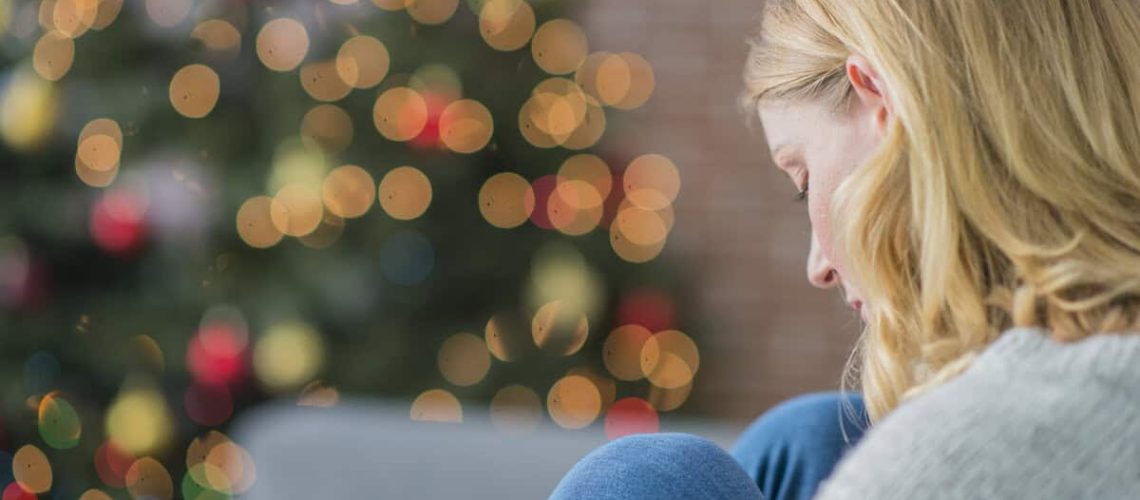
140	421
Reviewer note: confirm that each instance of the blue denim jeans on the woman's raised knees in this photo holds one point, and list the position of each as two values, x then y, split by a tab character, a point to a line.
785	455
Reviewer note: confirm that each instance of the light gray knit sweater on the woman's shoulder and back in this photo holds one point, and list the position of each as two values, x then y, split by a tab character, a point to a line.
1031	420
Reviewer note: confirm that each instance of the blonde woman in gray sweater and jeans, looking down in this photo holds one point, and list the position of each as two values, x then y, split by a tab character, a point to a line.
972	170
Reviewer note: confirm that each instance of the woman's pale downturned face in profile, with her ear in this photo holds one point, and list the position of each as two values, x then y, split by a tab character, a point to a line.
818	149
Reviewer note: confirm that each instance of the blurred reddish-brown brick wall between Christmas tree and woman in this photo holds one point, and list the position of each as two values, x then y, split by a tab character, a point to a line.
769	334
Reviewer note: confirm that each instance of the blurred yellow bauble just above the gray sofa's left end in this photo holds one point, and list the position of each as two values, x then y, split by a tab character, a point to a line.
289	356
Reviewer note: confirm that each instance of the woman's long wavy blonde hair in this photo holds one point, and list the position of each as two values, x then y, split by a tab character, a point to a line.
1006	192
